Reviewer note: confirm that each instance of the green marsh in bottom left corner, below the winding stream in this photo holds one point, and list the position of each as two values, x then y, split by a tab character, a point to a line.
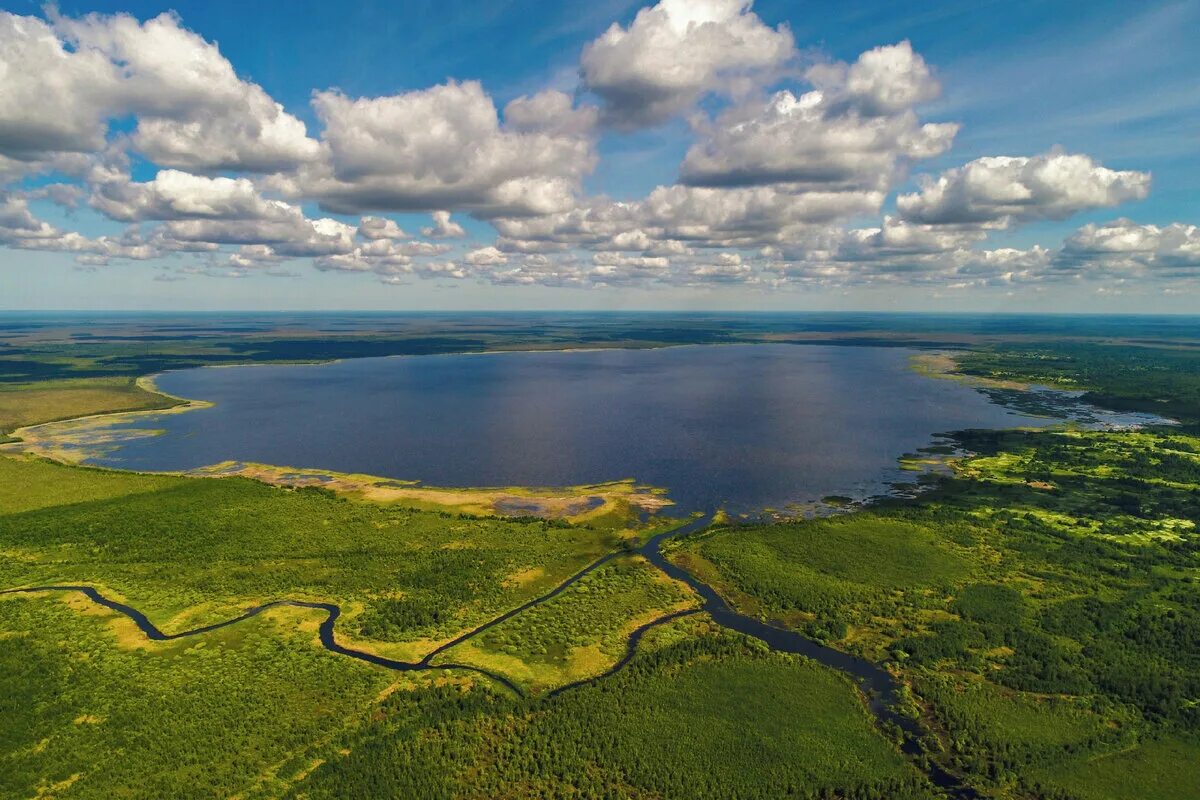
86	717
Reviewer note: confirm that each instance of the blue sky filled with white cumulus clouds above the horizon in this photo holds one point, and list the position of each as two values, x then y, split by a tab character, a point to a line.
689	155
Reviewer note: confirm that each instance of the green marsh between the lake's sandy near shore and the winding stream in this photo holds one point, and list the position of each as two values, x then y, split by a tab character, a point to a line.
195	551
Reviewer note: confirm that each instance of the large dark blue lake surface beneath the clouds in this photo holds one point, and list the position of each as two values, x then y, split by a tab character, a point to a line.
746	428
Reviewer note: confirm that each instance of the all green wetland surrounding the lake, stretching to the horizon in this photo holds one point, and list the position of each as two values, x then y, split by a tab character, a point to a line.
1039	603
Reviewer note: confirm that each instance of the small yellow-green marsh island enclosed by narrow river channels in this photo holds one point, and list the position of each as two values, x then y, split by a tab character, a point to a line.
580	633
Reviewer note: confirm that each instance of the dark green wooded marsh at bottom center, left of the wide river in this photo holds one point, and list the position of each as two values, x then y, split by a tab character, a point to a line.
695	715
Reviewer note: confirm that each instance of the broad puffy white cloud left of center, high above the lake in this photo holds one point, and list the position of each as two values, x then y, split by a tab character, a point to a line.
445	147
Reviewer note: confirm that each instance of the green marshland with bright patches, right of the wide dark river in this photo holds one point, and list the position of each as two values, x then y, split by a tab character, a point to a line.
1045	604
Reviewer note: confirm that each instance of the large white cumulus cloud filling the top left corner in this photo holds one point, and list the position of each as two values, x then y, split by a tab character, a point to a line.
67	80
